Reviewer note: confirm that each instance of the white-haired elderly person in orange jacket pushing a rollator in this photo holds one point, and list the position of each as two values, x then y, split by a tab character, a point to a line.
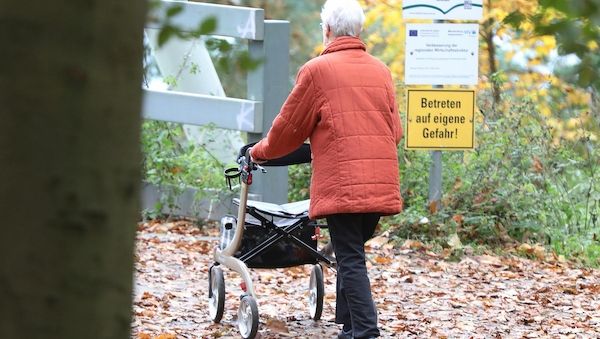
344	101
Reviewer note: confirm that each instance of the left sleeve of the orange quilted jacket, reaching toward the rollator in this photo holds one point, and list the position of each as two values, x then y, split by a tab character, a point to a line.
295	121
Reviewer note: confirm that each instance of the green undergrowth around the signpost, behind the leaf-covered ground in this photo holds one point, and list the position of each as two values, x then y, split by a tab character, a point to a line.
516	186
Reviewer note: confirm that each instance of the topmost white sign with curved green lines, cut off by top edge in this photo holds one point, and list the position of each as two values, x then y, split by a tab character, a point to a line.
442	9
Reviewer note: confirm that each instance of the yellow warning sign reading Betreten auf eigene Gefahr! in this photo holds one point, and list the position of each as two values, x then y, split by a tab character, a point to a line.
440	119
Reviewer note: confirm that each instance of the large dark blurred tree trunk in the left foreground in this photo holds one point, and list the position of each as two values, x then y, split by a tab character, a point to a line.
70	96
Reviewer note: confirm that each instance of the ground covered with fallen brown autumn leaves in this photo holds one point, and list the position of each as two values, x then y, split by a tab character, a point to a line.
418	294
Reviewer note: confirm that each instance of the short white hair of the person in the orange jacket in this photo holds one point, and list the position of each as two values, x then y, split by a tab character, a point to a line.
344	17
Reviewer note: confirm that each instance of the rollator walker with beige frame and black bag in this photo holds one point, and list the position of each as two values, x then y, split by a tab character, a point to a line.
265	235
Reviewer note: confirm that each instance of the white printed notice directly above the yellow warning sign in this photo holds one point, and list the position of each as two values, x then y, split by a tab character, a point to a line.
441	54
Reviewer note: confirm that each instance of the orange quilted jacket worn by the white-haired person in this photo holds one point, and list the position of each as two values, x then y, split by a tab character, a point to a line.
344	101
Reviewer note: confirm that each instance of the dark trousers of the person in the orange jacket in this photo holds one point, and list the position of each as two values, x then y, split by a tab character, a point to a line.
354	303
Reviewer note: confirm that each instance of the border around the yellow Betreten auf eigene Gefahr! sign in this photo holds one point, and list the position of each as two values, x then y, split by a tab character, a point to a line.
409	129
